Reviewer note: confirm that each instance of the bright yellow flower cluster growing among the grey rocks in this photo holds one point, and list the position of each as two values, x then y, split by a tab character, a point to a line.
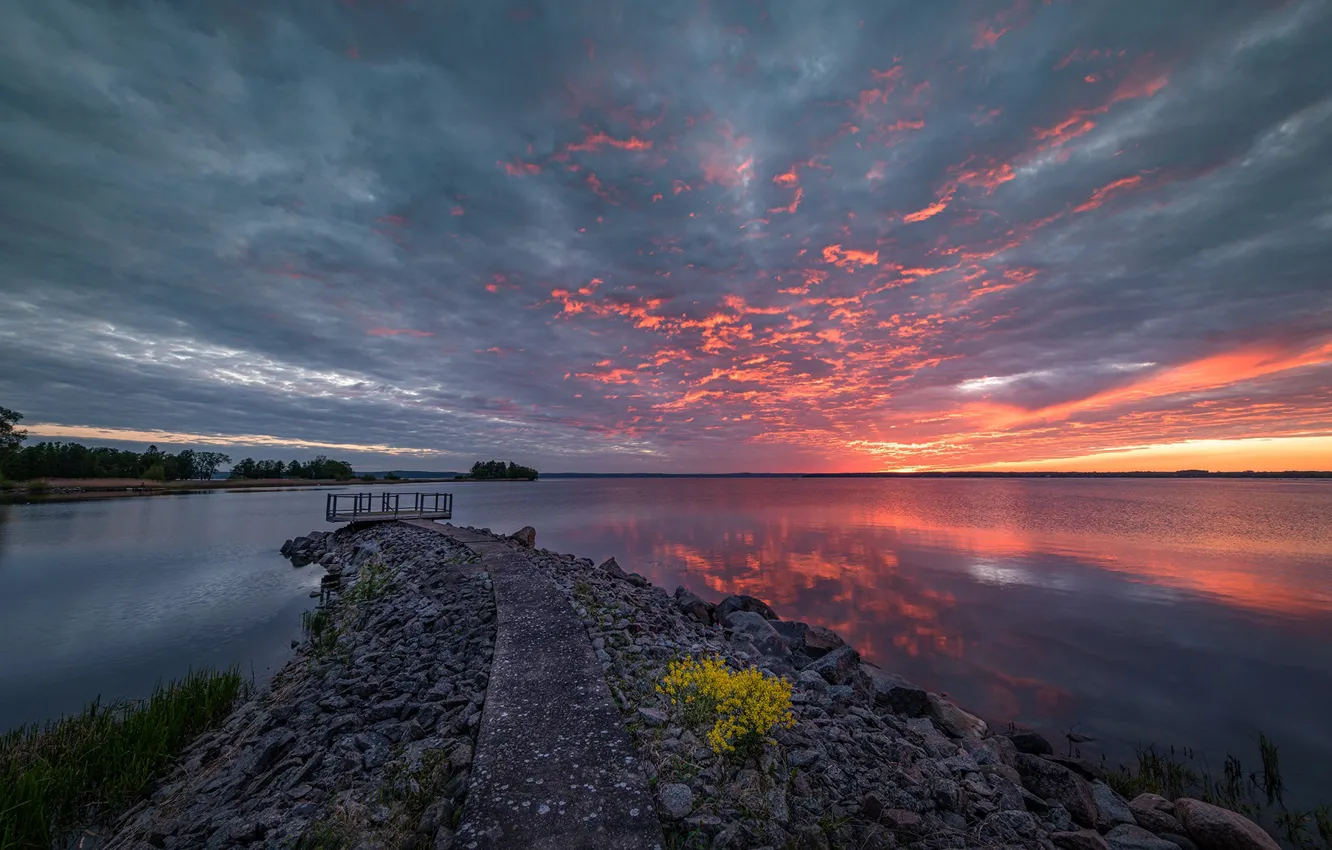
741	707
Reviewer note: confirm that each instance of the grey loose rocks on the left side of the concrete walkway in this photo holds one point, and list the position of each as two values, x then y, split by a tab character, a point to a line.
366	739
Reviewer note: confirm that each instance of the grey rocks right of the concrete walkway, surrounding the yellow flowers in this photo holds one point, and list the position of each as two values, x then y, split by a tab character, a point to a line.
872	760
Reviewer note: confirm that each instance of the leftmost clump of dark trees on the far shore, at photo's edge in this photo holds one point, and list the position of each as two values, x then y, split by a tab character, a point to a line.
73	460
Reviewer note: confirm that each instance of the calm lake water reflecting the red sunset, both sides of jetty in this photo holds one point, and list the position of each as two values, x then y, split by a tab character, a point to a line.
1182	612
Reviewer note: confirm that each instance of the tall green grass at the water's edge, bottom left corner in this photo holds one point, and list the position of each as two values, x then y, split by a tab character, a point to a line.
90	768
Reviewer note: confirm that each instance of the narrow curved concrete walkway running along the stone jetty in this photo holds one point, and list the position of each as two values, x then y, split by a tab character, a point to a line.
553	768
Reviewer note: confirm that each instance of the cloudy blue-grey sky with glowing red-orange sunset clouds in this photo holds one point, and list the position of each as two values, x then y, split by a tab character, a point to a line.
705	236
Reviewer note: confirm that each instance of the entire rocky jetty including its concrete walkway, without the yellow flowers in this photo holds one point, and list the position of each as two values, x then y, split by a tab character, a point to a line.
467	689
